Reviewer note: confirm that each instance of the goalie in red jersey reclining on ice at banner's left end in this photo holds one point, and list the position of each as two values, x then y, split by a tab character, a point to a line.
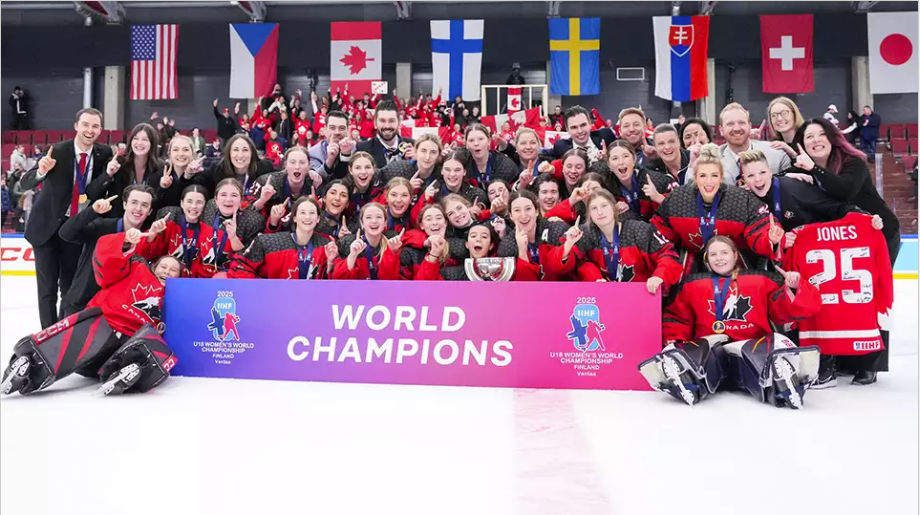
115	338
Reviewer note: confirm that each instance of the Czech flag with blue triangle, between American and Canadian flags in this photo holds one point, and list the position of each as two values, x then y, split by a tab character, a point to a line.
253	59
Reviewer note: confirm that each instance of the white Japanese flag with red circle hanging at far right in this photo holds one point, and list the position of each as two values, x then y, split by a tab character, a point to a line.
893	52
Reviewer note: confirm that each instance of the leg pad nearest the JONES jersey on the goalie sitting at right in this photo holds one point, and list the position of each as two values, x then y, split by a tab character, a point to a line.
773	369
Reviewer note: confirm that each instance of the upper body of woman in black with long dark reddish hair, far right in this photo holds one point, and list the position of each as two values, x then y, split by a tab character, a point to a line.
842	171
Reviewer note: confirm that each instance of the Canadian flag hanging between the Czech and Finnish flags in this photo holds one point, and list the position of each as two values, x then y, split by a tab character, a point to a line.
355	56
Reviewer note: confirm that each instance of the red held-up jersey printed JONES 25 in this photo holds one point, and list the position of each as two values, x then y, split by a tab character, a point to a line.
848	261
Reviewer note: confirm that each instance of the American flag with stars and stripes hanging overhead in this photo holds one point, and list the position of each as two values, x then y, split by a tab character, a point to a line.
153	62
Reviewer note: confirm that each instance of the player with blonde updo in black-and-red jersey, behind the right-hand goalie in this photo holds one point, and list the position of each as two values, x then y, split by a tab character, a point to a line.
693	213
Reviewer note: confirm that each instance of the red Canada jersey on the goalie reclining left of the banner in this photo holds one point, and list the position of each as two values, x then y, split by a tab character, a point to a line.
130	294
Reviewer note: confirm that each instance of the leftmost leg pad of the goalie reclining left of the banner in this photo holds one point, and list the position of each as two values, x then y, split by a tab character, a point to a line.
57	351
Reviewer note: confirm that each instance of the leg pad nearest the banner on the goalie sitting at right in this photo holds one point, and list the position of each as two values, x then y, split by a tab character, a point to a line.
688	371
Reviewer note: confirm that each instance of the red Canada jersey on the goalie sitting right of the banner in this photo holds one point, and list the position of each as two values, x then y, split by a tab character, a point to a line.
755	299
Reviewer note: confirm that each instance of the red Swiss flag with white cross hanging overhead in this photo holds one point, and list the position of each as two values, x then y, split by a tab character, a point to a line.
787	52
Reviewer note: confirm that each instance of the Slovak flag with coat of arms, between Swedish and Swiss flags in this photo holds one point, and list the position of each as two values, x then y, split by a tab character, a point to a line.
681	50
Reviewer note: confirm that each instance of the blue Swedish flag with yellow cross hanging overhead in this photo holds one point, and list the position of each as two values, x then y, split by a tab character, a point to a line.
574	47
